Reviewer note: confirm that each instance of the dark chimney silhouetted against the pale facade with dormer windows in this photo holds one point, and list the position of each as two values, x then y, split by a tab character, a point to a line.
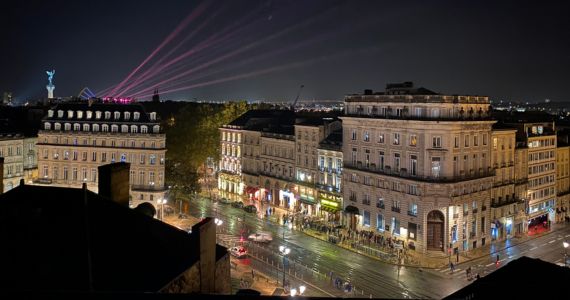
114	182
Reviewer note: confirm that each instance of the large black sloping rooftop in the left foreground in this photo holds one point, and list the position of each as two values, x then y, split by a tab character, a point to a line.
73	240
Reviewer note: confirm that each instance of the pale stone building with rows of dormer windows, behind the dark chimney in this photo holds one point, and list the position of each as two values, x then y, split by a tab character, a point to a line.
76	138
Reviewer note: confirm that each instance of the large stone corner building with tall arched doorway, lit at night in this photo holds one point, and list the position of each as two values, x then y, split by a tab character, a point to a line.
417	166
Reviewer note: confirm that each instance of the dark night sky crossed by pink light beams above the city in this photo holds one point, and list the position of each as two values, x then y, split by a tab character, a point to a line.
264	50
